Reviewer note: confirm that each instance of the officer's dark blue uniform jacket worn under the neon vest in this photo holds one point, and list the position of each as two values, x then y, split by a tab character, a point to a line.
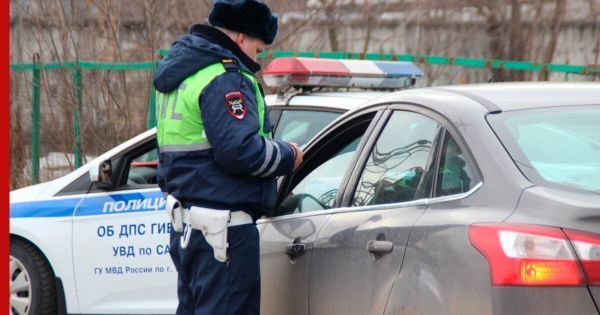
239	171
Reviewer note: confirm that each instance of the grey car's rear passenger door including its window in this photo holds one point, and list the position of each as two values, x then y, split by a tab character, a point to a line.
360	249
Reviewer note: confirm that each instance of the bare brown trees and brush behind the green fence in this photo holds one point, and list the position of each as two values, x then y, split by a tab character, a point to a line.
115	103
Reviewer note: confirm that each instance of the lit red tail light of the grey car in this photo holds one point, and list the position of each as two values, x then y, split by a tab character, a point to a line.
529	255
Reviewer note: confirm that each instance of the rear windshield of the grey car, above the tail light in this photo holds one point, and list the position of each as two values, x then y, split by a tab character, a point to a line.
554	145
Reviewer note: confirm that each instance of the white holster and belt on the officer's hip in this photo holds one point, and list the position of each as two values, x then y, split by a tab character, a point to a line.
212	223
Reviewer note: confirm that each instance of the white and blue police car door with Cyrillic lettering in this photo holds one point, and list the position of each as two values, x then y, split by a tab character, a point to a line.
120	241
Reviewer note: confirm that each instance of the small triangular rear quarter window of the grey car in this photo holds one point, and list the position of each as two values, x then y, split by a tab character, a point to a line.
455	175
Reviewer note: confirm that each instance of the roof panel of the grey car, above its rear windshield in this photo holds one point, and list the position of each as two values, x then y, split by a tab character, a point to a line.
526	95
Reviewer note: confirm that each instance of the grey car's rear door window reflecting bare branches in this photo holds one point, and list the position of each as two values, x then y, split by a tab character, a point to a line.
394	170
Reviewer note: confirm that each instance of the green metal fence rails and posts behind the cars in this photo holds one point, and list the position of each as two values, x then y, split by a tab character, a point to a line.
77	66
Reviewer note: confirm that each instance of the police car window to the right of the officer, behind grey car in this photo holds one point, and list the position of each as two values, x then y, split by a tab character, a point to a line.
299	126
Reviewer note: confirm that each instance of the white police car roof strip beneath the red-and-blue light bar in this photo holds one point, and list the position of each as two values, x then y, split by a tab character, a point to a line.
334	100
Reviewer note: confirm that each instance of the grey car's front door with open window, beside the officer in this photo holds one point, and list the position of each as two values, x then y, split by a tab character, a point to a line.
305	202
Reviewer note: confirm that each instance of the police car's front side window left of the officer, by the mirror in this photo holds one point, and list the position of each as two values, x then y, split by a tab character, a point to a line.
142	168
